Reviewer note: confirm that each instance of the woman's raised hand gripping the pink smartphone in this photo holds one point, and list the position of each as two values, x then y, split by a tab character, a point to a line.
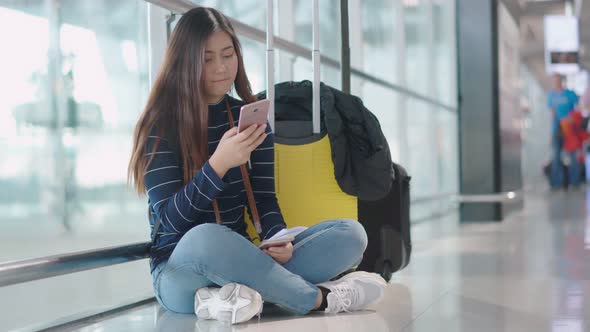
234	149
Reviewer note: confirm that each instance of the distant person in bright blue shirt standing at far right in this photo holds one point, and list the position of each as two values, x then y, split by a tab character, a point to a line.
562	103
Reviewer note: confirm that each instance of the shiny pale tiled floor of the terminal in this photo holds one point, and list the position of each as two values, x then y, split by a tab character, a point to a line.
528	273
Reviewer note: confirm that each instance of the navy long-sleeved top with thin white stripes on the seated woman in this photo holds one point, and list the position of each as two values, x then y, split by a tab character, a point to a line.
182	207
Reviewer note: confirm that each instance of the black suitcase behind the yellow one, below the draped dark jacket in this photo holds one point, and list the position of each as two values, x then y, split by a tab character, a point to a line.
387	222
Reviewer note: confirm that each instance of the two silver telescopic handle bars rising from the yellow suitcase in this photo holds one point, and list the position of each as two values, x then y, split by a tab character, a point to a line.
315	58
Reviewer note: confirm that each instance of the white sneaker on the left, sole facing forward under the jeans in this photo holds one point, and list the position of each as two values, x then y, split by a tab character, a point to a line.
232	303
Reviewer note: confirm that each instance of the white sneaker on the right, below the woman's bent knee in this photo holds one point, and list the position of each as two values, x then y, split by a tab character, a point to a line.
354	291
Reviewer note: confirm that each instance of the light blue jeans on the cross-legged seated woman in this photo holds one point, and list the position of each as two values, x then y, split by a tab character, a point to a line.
212	255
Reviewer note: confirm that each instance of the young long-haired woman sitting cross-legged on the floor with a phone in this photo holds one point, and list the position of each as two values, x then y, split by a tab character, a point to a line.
186	158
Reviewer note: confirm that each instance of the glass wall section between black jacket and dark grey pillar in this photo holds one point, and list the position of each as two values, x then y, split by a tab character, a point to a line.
412	44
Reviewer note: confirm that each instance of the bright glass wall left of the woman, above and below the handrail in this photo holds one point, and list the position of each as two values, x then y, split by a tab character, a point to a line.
74	78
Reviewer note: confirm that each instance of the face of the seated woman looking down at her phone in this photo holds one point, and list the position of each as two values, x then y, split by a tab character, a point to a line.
221	66
